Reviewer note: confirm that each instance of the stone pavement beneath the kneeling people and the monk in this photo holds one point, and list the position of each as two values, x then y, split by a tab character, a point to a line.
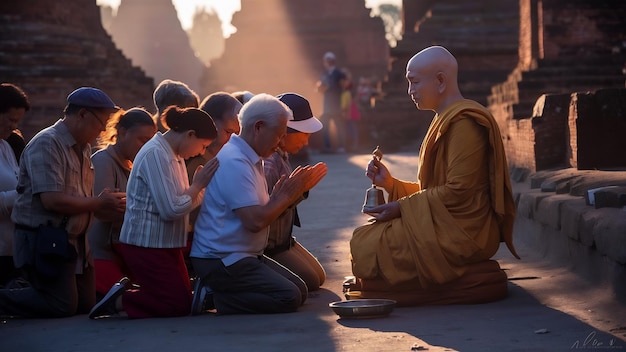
549	308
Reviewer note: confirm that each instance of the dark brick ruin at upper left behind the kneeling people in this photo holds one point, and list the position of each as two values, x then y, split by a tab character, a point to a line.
50	48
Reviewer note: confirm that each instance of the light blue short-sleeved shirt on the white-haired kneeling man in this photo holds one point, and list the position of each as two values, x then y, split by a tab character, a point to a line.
238	182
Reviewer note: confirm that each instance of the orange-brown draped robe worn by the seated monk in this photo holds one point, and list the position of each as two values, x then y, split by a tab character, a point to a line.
456	214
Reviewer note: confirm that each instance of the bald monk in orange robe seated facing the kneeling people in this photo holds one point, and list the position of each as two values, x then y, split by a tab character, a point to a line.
432	242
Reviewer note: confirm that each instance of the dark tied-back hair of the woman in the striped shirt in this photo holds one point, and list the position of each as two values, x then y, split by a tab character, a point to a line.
186	119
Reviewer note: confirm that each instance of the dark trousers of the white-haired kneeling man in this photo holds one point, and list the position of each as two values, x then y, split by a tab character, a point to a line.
251	285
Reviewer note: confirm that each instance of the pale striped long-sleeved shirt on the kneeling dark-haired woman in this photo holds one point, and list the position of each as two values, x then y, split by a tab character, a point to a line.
157	211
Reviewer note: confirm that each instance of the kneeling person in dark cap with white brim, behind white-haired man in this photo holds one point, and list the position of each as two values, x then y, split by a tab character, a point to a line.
282	245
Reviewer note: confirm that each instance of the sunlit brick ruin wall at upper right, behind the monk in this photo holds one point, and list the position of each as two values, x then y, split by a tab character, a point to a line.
563	105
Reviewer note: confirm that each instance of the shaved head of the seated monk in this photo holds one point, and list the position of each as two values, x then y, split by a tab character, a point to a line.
432	74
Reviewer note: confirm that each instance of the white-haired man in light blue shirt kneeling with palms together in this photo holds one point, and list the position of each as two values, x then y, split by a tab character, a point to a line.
233	224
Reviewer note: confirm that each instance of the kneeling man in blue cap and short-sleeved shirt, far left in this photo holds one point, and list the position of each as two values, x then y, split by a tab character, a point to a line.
55	188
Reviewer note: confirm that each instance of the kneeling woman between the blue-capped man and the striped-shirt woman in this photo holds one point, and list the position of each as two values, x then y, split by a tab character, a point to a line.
126	133
